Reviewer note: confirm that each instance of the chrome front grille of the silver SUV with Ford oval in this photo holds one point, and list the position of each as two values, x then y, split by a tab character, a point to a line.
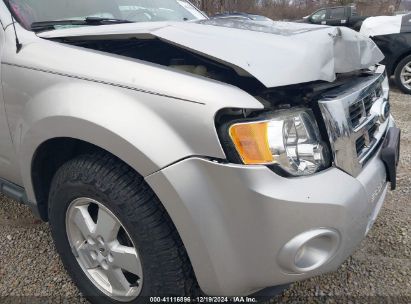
356	120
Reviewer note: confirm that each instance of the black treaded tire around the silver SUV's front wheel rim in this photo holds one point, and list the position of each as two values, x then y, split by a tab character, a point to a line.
166	267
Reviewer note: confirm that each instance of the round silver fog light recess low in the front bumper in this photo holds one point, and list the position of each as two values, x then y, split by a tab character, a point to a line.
309	250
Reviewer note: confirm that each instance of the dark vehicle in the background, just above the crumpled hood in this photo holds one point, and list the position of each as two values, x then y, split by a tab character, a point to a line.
337	16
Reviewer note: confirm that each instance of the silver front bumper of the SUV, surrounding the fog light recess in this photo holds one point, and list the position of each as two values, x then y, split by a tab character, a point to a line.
235	220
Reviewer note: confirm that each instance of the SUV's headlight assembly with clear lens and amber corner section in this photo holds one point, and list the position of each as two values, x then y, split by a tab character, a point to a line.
289	139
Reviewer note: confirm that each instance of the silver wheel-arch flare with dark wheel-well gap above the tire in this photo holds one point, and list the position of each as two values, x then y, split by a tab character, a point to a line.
40	153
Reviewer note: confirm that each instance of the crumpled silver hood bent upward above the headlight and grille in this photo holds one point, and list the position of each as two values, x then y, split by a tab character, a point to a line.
276	55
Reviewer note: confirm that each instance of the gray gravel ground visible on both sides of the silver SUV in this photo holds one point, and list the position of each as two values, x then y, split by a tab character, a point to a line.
379	271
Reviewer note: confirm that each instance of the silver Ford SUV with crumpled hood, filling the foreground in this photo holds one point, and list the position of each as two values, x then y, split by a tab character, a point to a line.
178	155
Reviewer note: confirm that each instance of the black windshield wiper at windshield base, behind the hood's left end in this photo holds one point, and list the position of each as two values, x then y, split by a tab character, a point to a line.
51	25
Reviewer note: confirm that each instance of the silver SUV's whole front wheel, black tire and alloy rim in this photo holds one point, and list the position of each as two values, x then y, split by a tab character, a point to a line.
113	235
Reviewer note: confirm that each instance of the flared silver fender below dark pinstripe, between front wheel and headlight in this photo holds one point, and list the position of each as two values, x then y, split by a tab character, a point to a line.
146	131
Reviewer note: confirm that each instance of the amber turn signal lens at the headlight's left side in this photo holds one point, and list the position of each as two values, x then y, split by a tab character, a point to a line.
251	142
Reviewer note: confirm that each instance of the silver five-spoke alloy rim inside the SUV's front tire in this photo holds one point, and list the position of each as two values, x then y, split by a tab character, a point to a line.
104	250
